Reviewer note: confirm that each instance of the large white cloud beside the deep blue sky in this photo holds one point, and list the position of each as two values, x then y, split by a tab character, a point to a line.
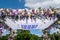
42	3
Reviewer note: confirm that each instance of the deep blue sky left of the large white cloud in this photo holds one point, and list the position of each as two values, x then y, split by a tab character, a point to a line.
12	4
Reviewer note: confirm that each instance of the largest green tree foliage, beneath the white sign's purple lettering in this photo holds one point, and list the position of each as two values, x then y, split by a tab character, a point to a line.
25	35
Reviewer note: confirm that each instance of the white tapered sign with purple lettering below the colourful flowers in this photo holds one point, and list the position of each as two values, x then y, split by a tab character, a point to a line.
41	24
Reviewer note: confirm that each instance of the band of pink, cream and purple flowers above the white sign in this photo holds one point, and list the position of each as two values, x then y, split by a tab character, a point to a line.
26	14
